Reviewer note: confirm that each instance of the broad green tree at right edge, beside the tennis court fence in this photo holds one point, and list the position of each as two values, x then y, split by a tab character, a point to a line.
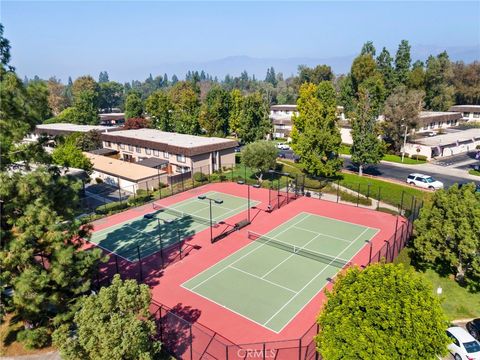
447	234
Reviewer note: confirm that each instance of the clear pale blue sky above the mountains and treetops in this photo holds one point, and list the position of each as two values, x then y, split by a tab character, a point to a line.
131	39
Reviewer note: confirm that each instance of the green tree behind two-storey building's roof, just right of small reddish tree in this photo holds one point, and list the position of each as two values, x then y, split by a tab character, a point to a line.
159	107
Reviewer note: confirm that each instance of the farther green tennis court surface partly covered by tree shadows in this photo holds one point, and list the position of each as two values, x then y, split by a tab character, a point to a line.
142	236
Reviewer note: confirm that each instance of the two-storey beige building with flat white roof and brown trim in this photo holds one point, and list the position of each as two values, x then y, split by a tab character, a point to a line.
184	153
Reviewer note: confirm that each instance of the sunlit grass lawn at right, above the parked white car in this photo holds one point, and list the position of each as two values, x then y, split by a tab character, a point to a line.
457	302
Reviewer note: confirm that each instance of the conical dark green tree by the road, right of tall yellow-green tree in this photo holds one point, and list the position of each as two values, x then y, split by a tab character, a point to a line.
367	147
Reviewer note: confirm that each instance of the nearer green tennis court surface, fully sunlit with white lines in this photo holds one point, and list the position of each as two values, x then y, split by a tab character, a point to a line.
272	279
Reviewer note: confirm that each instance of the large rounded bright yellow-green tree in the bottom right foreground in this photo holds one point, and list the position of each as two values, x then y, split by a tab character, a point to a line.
385	311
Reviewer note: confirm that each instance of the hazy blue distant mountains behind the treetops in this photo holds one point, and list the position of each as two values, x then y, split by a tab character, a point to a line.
234	65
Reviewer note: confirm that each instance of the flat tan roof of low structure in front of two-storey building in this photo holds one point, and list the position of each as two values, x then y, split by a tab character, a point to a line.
124	170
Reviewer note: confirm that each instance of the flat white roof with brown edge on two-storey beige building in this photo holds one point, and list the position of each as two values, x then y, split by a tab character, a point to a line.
188	145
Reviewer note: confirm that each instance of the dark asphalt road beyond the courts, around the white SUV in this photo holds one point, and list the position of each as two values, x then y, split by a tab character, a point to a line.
399	173
